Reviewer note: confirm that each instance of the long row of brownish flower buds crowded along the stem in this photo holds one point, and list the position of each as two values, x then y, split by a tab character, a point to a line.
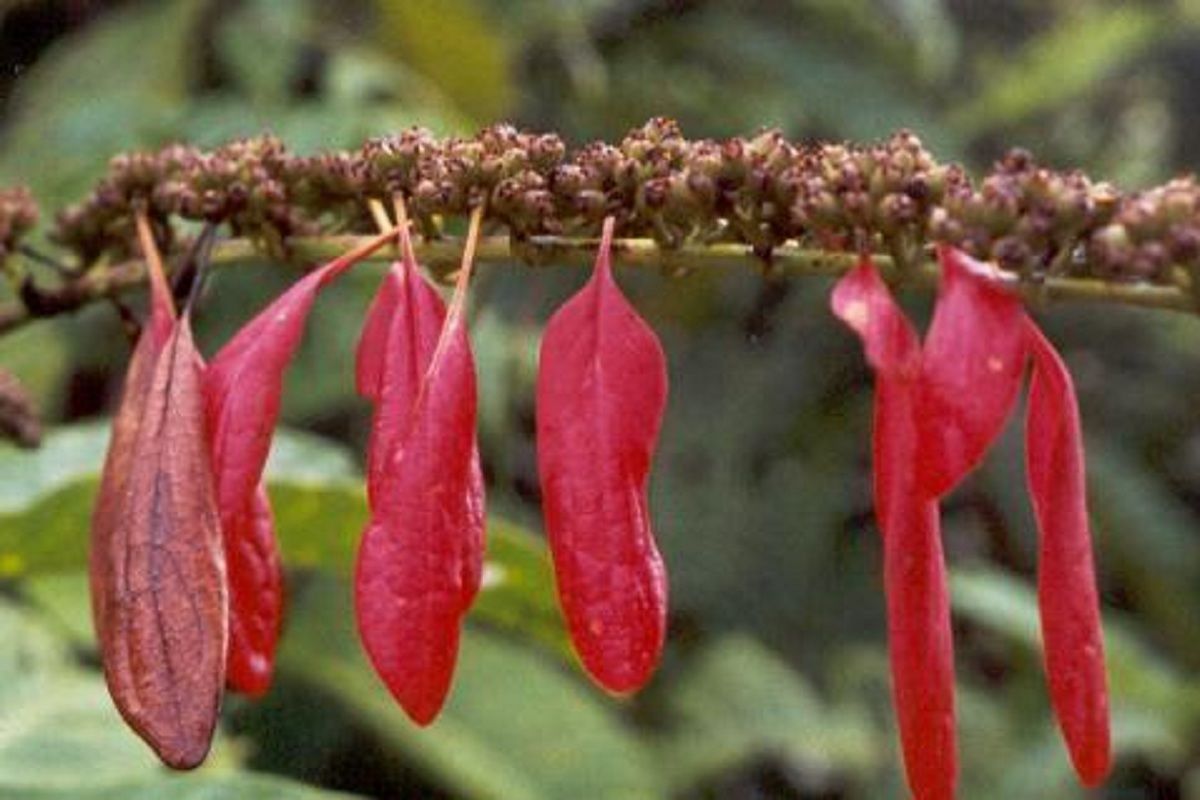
763	191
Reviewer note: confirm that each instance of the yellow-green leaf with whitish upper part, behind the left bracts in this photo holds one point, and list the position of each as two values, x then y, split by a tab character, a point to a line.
46	500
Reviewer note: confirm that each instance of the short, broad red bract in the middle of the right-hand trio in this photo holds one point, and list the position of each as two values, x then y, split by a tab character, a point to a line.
974	364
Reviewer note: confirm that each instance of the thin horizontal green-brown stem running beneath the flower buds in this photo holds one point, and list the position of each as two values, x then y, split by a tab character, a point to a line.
443	255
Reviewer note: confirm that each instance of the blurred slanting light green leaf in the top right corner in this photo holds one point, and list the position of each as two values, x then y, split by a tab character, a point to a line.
1063	64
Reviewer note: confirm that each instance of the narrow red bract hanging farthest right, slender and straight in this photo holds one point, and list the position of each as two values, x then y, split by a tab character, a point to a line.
1067	596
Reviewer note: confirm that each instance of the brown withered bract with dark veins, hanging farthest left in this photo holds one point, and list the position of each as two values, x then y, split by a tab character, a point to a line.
158	567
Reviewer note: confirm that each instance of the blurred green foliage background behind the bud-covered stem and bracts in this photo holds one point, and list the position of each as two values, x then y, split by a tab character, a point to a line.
776	678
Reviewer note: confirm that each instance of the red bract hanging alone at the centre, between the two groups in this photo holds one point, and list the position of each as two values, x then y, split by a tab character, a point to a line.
602	390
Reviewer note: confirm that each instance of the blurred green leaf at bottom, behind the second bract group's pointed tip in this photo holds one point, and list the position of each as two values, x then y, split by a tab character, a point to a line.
515	729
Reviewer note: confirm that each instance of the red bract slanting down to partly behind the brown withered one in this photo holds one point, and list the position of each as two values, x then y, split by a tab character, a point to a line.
243	390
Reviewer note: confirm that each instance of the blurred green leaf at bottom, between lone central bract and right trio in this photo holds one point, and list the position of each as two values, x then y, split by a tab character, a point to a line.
739	702
